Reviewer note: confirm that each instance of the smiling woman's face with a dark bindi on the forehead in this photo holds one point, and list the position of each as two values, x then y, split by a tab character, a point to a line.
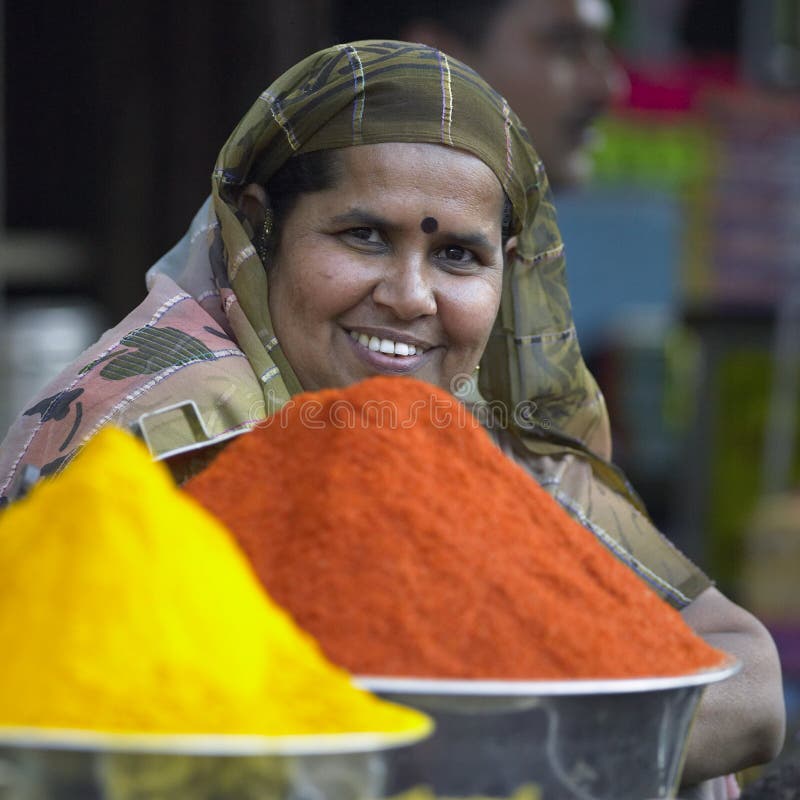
396	270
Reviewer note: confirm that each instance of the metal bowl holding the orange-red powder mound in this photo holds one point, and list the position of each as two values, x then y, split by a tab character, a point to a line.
549	740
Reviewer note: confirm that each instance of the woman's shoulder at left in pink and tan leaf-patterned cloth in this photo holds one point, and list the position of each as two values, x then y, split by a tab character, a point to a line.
169	364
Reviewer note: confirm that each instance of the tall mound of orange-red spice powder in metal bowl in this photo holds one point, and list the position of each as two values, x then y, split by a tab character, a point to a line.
394	531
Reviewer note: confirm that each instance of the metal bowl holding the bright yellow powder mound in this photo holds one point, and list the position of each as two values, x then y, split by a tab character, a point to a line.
75	765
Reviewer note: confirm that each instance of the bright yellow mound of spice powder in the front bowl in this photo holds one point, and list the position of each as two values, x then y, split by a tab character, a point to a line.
128	608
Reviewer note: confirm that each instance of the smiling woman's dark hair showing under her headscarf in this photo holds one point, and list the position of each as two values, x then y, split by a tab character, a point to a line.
315	172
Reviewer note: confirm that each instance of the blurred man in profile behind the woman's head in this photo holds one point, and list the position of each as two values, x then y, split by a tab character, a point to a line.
548	58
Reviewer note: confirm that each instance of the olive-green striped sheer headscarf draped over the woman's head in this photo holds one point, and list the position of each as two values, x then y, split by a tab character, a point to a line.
378	91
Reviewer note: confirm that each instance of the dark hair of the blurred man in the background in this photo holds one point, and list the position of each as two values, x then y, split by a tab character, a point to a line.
359	19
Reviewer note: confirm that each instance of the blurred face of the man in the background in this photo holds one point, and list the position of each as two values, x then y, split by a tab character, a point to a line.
550	60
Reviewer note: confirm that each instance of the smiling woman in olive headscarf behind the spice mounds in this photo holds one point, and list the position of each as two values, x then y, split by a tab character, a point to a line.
313	265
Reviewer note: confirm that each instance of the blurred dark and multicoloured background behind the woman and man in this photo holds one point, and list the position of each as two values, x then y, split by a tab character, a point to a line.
683	249
